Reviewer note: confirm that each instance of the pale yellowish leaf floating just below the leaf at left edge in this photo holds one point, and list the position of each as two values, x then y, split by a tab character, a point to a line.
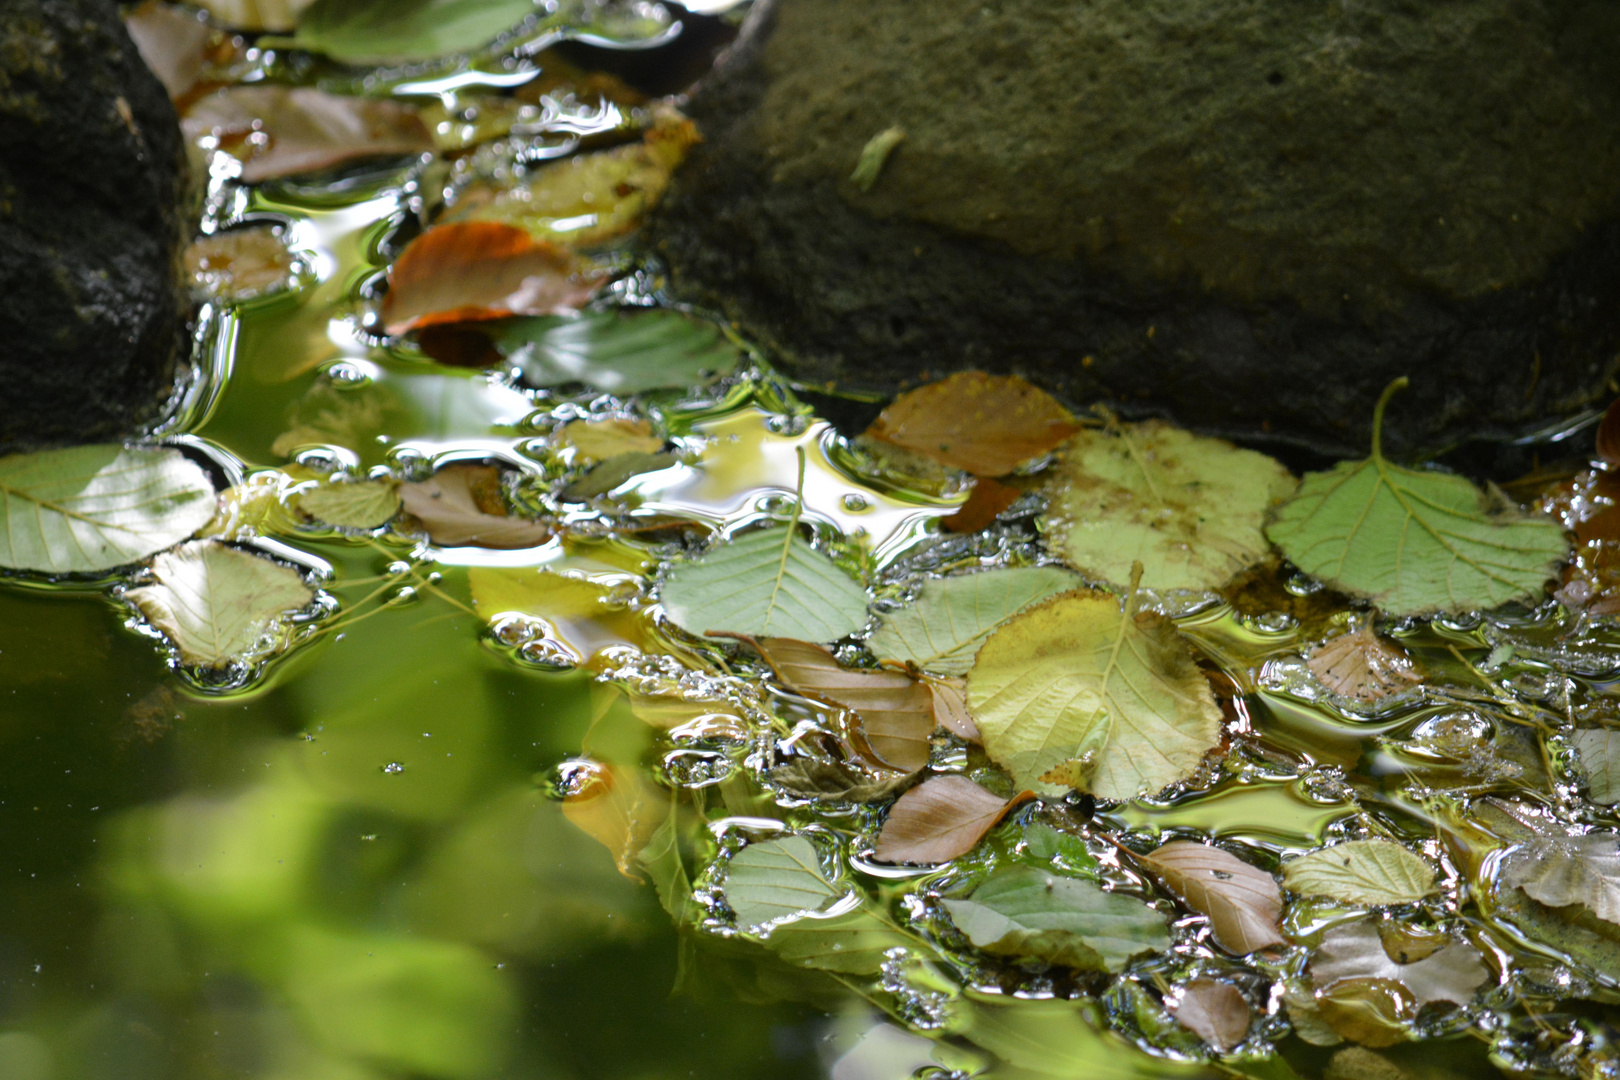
218	603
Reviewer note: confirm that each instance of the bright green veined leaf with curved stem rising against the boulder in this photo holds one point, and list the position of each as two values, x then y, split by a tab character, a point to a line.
1410	542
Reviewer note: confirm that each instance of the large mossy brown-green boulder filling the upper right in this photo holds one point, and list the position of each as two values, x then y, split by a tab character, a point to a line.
1245	215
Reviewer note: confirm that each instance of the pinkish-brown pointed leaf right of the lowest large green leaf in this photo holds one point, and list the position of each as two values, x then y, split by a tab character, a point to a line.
1242	901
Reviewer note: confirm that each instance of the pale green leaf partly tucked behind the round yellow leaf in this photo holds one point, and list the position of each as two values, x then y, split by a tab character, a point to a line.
952	618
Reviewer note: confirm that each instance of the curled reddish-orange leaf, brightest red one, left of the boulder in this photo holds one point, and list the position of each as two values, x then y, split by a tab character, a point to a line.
479	271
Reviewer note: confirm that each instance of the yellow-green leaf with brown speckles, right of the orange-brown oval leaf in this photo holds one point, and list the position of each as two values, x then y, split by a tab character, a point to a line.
1188	508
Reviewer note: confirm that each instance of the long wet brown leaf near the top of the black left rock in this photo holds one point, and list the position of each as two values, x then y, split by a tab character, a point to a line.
281	132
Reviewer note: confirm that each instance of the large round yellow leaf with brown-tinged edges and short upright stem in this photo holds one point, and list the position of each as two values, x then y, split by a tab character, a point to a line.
1078	681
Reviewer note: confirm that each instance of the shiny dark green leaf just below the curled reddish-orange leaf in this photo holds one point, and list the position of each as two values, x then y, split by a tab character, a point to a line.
618	352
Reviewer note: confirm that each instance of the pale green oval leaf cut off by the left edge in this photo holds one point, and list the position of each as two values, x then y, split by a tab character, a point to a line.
98	508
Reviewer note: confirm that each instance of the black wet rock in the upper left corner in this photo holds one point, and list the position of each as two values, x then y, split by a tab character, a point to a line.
92	184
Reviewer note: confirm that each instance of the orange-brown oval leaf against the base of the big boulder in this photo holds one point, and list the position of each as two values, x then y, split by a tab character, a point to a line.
986	425
